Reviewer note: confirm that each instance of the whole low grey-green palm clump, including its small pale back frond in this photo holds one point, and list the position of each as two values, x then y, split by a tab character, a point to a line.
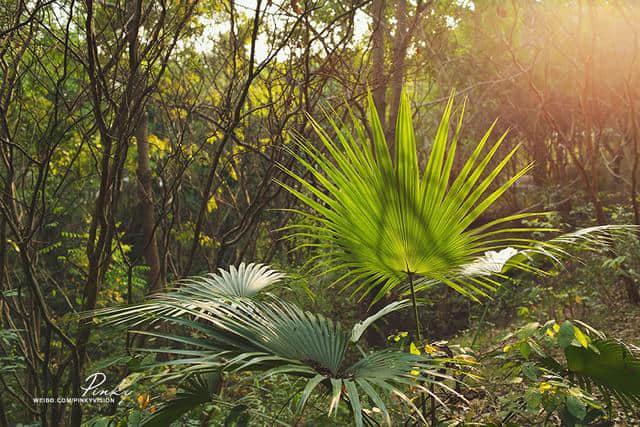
218	323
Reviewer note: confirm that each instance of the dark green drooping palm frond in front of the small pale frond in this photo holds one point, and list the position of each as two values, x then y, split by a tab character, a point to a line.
228	333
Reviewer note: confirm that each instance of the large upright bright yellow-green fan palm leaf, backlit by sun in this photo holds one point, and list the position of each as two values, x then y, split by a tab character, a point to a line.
379	220
